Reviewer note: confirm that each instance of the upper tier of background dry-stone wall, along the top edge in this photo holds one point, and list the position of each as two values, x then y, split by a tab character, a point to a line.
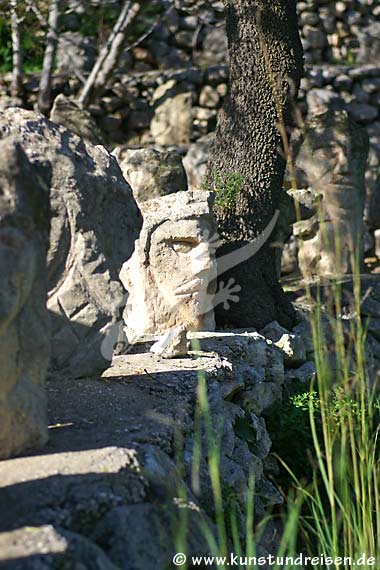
193	33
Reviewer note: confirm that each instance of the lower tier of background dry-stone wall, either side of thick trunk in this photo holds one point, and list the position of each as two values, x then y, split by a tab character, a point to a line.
154	96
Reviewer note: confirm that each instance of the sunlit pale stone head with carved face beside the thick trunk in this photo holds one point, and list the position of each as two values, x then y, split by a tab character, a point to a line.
171	275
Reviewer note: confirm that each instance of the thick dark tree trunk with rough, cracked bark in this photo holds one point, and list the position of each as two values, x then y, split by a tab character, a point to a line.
247	164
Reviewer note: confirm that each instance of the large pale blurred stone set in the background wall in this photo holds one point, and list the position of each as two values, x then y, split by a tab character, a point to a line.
172	121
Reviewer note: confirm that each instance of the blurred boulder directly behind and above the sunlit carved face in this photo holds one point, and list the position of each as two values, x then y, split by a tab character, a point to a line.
152	173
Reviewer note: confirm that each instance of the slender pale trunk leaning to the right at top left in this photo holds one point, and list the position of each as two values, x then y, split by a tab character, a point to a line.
110	53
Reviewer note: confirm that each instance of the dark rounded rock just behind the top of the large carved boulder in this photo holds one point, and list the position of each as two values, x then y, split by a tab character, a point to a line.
67	113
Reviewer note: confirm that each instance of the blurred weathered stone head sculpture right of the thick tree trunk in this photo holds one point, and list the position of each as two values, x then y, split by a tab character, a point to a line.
330	159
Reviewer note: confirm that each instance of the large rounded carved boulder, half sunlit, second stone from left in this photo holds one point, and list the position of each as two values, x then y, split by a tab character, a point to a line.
94	223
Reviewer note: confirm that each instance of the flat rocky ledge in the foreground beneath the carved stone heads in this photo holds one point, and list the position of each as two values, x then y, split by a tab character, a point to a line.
104	491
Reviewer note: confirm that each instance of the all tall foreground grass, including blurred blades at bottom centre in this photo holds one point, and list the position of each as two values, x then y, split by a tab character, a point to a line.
337	512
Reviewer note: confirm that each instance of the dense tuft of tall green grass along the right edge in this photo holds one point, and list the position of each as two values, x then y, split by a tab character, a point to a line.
341	506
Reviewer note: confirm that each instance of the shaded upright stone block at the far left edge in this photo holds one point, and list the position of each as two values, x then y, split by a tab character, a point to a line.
24	320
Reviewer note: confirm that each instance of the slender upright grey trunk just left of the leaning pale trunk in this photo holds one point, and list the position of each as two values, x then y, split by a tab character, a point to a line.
44	93
